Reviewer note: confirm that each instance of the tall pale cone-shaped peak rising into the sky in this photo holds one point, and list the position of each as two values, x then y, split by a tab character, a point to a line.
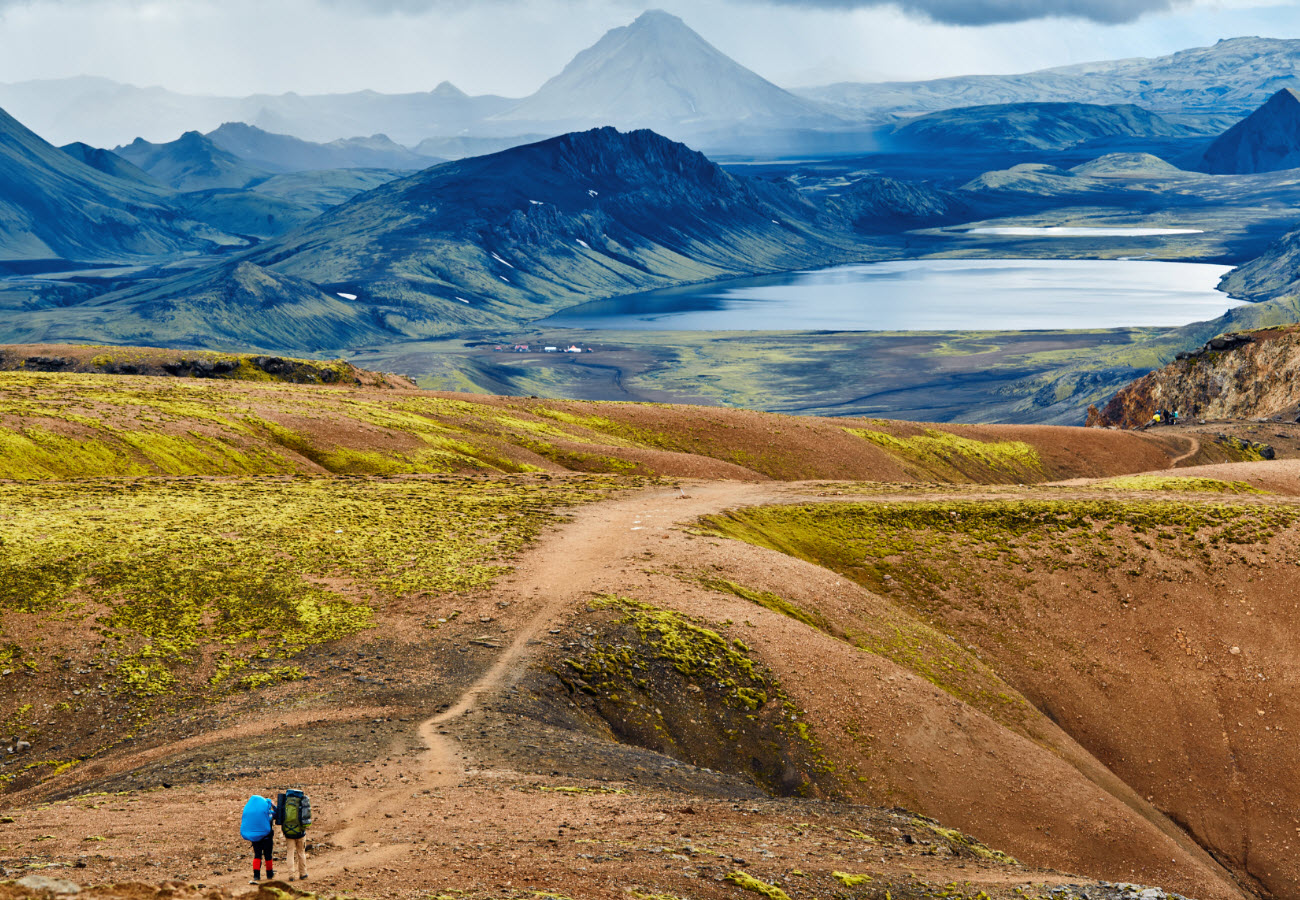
658	73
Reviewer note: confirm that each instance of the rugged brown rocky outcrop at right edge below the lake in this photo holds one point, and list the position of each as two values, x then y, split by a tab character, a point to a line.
1234	377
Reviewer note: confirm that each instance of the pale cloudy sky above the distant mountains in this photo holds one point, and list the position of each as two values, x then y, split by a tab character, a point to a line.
236	47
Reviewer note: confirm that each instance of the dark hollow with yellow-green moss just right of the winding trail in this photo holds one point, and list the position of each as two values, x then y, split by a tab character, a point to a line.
658	680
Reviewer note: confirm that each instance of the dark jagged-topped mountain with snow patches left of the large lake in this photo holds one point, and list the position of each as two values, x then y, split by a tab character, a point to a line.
526	232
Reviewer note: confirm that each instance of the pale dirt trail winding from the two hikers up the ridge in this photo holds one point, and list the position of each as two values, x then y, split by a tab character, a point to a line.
564	570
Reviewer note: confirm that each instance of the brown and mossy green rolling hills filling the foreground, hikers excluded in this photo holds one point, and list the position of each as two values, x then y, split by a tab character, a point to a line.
930	676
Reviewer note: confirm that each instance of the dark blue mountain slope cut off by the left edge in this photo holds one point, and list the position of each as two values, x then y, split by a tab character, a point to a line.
54	206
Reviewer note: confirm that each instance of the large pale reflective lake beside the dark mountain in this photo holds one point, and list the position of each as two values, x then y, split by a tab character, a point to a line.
937	295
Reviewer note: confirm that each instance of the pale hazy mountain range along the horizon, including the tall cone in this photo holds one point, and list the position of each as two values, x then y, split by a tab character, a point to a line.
653	73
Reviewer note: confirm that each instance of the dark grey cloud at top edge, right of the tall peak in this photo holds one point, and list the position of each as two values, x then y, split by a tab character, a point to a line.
993	12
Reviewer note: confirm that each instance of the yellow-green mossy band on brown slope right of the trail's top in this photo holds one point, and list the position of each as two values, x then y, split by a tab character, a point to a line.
925	547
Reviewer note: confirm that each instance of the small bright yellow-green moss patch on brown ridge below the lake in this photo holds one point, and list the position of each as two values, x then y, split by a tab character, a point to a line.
937	456
